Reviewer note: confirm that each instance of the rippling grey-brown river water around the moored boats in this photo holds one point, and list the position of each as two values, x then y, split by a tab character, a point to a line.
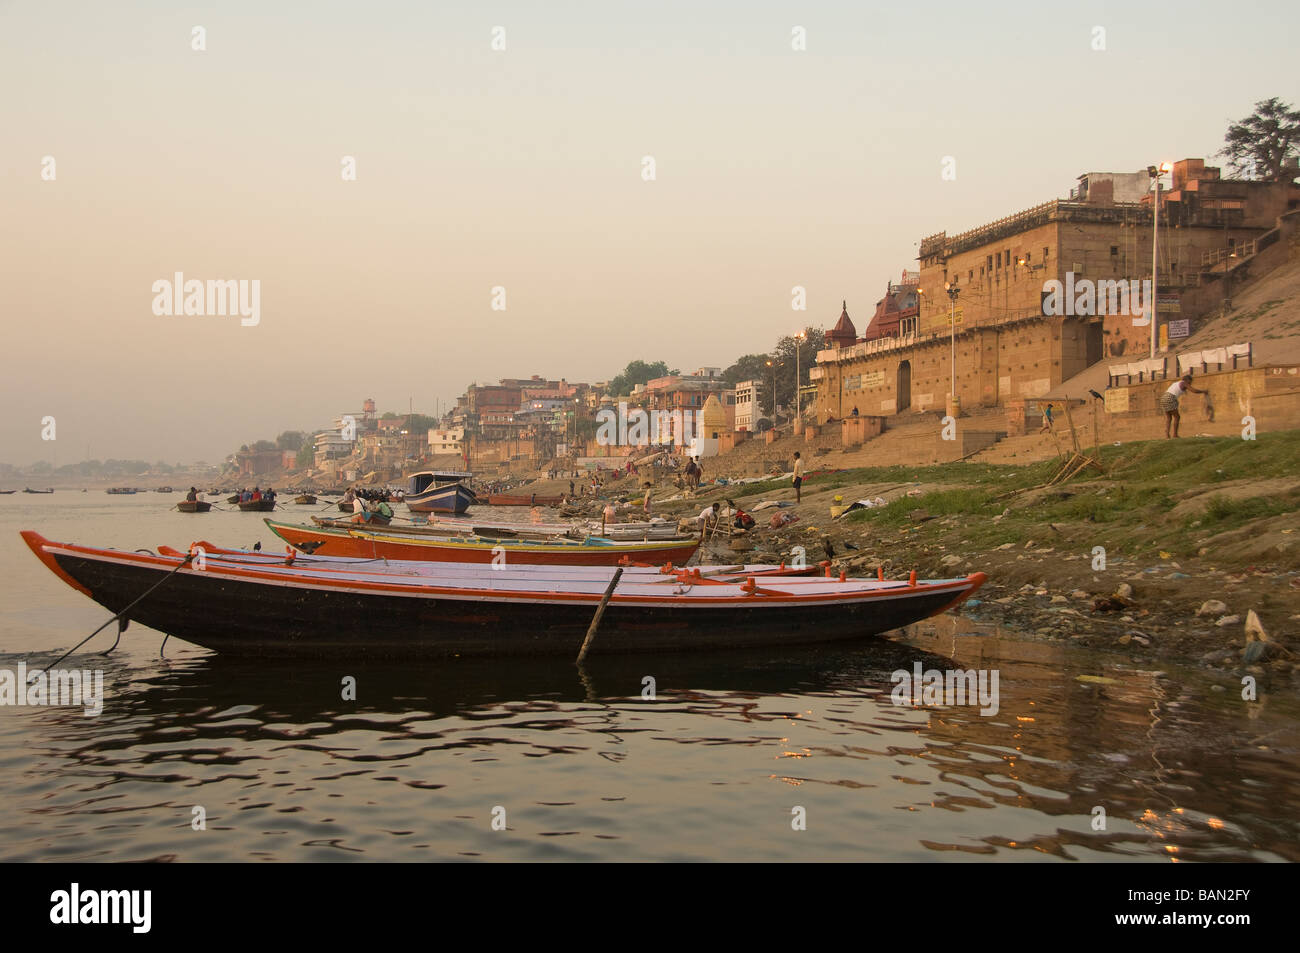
778	757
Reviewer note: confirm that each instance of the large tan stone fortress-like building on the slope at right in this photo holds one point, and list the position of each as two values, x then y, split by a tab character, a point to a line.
987	323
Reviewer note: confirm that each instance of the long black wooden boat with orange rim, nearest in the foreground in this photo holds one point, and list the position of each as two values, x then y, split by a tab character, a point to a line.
262	607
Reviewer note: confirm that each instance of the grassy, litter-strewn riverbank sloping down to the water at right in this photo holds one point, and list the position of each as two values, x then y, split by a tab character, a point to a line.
1124	557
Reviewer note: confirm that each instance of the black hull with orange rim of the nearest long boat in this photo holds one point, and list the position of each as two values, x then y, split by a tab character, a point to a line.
248	613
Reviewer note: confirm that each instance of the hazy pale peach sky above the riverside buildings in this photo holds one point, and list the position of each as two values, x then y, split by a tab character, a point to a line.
523	168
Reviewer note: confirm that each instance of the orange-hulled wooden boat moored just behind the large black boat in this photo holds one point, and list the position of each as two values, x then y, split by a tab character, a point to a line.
365	543
